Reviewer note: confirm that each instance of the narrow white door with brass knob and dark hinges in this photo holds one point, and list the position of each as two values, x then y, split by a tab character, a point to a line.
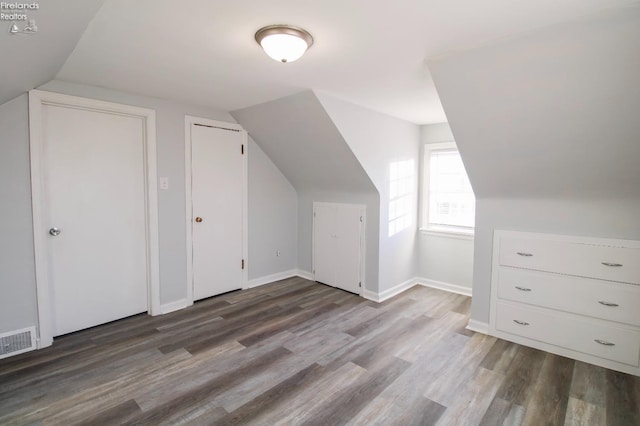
217	209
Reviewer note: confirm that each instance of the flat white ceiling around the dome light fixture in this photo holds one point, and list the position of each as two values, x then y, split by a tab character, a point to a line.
371	53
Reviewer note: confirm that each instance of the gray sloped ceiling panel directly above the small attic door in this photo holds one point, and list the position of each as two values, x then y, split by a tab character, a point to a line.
302	141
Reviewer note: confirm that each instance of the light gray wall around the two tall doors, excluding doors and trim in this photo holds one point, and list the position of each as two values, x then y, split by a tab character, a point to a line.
17	282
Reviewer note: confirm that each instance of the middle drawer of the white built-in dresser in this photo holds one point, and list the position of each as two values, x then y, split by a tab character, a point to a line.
599	299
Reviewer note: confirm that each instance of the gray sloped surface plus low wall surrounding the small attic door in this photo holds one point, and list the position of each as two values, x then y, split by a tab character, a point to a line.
303	142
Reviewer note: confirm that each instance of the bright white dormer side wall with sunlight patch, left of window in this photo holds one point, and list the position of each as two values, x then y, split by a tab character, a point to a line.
378	140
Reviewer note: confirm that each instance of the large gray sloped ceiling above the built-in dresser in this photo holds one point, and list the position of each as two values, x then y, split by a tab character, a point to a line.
554	113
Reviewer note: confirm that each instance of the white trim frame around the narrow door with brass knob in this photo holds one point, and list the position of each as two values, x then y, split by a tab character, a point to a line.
189	121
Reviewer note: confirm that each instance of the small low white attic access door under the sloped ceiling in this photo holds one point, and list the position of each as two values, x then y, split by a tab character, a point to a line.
338	245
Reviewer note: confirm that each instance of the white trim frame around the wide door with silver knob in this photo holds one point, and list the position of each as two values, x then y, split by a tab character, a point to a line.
38	98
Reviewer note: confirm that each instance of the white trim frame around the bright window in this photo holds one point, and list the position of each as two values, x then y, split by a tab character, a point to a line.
425	227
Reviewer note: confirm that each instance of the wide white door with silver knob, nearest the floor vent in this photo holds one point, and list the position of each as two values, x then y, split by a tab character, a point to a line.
94	194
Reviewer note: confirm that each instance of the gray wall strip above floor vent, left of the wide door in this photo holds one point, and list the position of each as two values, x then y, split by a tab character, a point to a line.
17	265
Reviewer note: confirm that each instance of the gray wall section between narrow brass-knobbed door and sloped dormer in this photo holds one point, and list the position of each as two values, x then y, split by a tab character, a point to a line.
273	217
